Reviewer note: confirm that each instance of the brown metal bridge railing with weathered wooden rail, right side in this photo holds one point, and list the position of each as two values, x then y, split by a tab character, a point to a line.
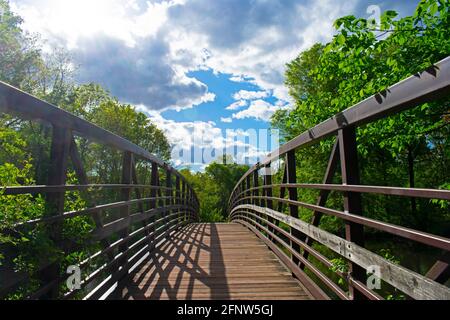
254	205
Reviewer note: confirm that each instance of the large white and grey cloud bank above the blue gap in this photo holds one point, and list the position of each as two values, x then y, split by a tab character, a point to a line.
253	43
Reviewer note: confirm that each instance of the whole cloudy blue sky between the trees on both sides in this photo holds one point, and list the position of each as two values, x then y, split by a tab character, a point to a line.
192	65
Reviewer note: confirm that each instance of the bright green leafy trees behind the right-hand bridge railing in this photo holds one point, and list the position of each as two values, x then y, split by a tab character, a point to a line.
410	149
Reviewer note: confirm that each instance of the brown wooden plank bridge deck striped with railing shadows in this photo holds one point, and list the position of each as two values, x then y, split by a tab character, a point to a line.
213	261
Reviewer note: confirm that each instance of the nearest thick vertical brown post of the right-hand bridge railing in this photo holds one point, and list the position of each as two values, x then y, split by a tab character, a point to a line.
352	200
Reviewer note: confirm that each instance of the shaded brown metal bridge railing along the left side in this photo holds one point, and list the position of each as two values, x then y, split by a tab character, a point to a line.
147	213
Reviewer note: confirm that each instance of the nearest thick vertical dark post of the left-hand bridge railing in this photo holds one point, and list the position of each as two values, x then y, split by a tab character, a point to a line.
57	175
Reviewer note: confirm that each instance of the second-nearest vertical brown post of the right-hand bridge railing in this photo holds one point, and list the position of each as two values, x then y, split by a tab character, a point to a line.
291	175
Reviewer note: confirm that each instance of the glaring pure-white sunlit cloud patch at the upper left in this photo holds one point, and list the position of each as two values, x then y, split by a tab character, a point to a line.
75	19
